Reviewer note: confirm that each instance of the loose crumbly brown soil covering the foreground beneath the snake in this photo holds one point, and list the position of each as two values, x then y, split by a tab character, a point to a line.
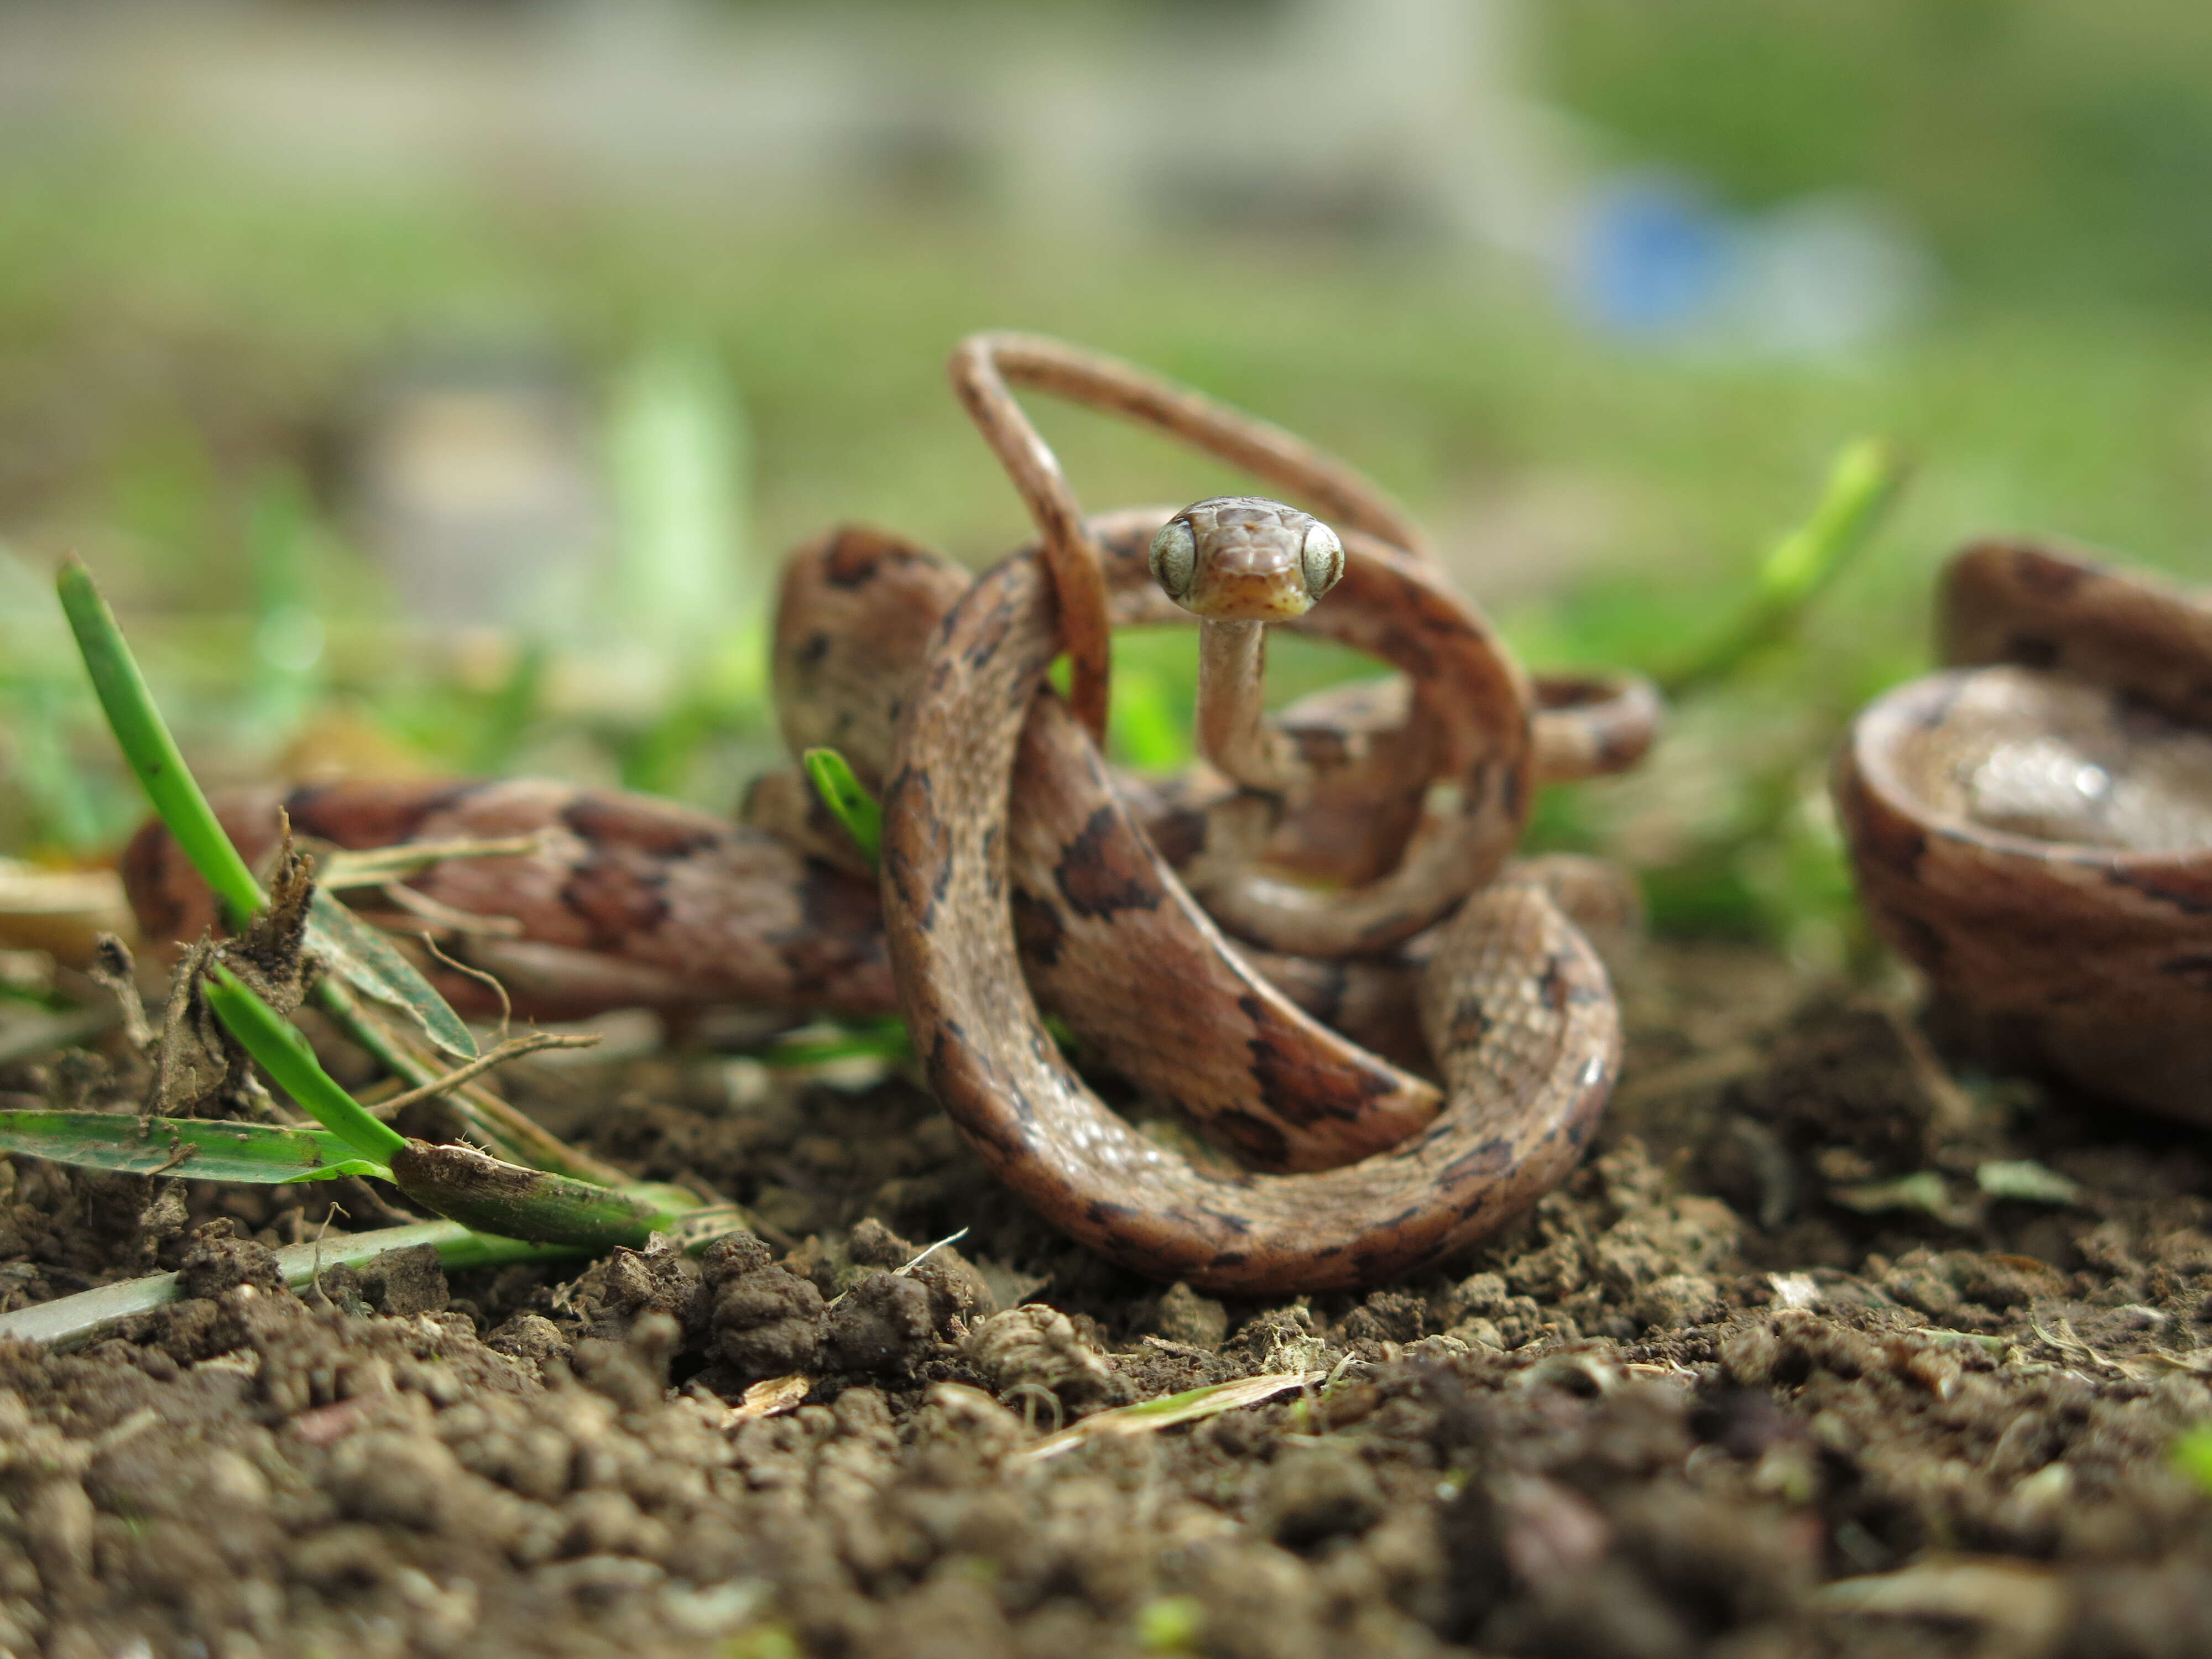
1824	1353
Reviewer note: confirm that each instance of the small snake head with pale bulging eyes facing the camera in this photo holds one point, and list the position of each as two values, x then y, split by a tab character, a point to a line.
1244	559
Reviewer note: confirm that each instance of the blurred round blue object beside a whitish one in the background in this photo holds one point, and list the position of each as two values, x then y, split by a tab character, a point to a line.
1656	255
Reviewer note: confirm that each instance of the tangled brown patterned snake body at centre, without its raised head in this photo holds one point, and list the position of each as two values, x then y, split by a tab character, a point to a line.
1067	890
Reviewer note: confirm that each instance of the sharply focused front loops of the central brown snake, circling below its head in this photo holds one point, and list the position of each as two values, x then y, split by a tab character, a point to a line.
1514	1001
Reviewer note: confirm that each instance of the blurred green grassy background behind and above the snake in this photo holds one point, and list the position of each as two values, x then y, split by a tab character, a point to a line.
439	386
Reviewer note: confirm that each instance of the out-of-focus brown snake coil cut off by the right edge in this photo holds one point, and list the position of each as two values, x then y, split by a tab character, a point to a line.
2032	826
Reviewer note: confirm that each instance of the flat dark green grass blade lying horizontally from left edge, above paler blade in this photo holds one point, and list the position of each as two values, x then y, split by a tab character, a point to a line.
191	1149
